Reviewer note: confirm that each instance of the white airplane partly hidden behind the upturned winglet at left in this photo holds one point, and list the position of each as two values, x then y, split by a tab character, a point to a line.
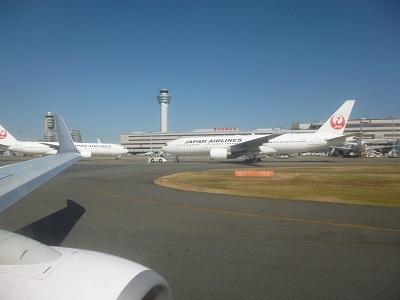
8	142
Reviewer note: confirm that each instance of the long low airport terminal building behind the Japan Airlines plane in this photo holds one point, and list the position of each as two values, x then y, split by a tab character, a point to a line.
375	132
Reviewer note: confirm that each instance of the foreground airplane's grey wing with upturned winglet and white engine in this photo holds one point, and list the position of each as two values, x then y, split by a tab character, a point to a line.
31	270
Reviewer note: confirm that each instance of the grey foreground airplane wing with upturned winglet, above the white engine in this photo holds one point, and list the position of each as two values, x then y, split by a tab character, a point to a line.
18	180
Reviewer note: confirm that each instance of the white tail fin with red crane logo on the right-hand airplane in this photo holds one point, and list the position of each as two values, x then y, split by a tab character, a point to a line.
337	122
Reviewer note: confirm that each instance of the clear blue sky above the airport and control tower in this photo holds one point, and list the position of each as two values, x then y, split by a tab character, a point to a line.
245	64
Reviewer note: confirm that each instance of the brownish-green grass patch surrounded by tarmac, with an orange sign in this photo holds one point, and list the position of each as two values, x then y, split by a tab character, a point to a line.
369	185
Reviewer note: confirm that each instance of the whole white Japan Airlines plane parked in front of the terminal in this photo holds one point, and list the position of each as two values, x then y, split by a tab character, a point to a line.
227	147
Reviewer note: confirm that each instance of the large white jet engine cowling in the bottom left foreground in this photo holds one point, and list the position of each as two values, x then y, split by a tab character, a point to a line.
31	270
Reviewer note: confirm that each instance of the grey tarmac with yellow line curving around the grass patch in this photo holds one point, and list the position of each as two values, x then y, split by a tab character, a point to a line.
210	246
